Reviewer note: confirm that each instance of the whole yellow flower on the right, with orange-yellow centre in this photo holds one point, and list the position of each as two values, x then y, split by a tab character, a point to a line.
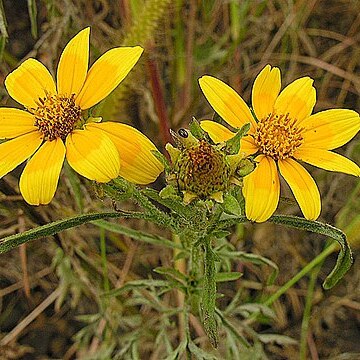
284	131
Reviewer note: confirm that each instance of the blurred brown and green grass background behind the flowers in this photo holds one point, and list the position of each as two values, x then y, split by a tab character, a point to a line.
50	290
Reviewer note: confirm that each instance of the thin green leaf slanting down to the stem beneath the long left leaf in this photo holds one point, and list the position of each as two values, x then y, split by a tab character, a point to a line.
137	235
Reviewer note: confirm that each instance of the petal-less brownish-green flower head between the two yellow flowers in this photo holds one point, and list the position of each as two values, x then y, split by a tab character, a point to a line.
203	170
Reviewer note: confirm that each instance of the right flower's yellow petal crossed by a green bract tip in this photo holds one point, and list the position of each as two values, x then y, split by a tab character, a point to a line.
219	133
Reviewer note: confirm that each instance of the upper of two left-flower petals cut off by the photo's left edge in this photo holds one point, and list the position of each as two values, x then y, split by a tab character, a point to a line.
15	122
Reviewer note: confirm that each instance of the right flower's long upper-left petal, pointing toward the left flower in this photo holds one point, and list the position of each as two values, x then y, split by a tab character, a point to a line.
226	102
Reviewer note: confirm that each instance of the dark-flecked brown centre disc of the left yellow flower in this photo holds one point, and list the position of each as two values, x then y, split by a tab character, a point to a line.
56	116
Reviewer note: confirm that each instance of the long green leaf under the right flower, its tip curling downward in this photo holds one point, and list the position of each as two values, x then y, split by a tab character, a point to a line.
344	260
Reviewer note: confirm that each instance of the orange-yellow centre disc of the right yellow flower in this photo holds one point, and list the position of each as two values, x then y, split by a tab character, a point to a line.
278	136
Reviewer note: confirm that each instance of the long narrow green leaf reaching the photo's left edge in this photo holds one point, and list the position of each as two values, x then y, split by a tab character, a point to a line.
55	227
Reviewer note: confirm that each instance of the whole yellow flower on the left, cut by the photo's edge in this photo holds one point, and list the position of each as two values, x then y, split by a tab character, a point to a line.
52	125
